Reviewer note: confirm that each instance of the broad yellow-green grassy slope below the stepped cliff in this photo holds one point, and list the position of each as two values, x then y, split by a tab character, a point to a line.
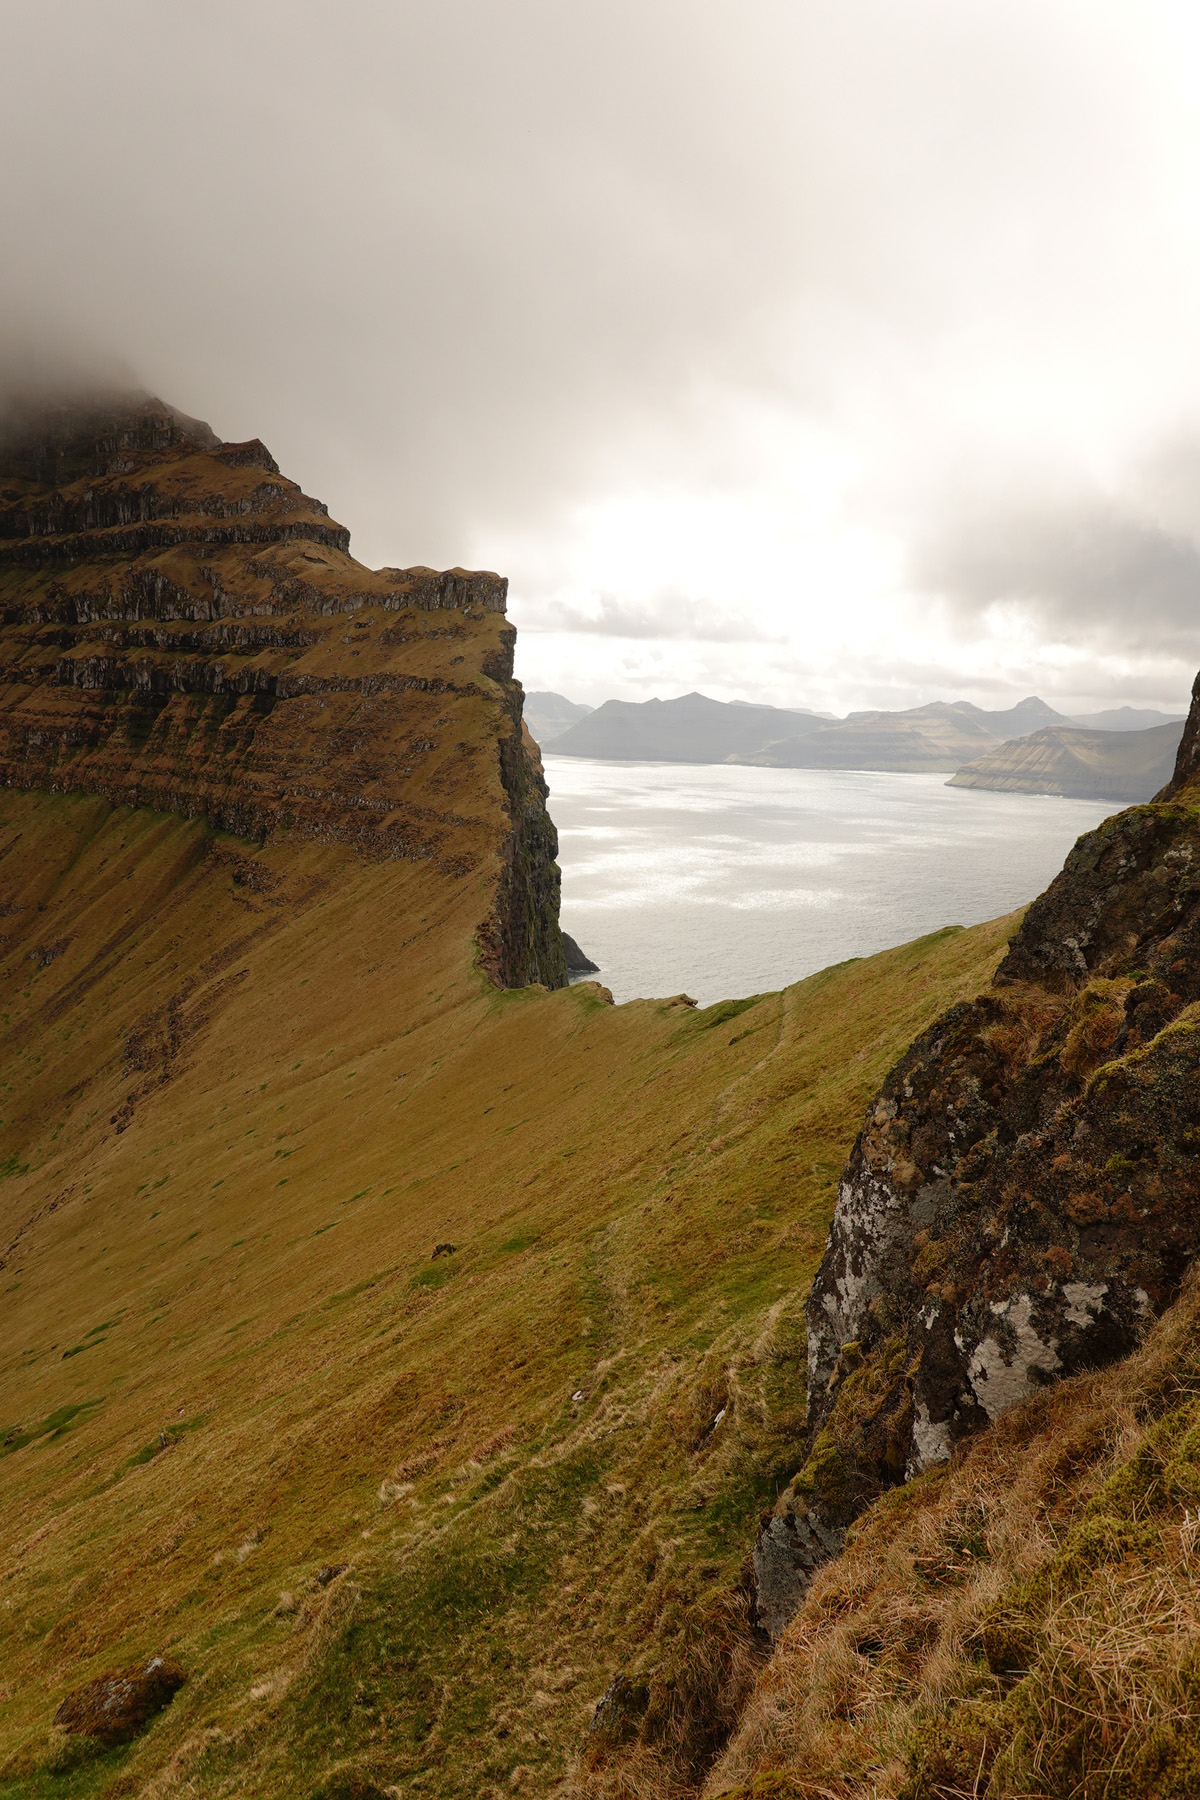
244	1102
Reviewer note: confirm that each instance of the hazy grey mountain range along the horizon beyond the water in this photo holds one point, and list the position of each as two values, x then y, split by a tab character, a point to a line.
1118	755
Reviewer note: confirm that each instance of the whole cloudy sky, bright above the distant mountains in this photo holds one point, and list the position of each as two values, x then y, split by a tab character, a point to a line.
825	354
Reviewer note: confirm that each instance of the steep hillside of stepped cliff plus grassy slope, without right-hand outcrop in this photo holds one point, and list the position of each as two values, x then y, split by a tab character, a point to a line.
397	1351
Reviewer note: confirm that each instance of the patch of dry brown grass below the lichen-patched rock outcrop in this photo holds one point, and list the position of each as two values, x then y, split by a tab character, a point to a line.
884	1687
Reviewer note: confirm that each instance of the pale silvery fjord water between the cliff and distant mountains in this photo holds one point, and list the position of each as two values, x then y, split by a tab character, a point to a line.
724	881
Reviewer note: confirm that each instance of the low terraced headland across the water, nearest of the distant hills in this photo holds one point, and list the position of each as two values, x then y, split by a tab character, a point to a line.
1120	766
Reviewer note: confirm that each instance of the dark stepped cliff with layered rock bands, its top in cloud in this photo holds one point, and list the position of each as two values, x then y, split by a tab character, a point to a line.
186	631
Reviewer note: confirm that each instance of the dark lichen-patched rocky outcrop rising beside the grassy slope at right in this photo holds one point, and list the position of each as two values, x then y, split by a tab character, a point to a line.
1025	1196
